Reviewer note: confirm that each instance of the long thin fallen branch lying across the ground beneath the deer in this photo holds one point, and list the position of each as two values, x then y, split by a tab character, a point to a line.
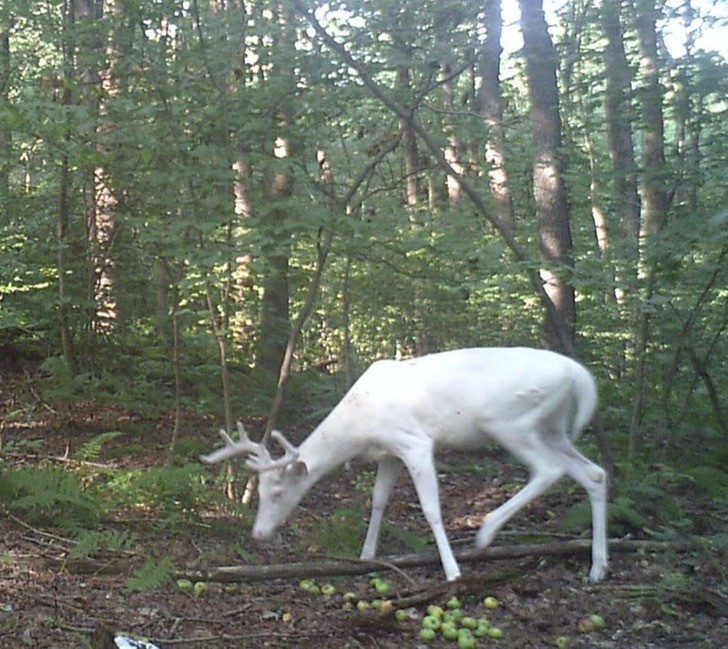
333	567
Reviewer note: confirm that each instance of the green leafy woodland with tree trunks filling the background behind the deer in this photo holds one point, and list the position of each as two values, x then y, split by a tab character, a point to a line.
209	207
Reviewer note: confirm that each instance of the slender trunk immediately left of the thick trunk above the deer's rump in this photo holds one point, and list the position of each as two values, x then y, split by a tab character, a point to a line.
491	108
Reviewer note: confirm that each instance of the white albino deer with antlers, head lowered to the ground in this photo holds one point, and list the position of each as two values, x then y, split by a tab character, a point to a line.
532	402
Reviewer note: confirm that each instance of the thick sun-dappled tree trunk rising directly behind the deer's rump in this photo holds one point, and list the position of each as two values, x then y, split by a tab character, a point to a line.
548	181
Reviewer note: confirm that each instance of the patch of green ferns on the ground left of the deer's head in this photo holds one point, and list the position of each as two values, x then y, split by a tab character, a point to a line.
83	496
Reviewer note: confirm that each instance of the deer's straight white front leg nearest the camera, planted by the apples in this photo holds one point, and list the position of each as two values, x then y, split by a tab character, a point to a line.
421	466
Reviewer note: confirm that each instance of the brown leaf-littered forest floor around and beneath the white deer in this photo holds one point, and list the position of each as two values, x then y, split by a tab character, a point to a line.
650	600
